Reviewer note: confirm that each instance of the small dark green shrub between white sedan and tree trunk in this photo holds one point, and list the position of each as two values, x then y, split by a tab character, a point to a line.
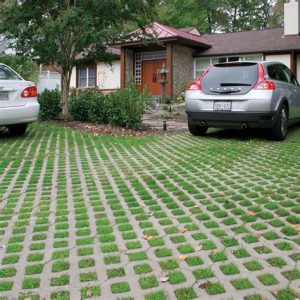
50	105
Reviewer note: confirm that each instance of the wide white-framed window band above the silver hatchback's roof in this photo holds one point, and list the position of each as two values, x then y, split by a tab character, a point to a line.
202	63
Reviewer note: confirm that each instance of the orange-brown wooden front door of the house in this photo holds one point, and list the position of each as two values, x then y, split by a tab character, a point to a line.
150	77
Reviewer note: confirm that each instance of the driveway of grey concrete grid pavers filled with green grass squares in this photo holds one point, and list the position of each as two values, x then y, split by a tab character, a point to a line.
169	217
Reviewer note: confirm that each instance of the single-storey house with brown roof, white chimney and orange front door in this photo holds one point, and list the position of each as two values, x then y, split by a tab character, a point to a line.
186	54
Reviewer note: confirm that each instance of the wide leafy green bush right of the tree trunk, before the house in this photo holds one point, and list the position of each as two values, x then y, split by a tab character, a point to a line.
123	108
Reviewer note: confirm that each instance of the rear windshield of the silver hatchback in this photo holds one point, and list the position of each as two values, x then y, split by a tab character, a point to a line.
236	78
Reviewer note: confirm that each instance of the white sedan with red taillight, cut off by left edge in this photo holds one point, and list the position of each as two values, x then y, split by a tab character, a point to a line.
18	101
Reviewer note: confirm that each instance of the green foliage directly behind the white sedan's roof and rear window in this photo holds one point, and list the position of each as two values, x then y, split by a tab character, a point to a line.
26	67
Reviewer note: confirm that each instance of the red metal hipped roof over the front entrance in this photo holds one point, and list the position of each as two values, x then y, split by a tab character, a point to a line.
164	33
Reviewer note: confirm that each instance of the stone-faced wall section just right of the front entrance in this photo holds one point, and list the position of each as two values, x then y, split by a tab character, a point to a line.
183	65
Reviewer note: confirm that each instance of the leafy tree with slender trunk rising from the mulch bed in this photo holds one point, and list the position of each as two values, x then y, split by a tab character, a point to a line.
57	31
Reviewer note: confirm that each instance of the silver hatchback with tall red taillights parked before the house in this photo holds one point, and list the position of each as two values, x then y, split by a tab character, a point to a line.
244	95
